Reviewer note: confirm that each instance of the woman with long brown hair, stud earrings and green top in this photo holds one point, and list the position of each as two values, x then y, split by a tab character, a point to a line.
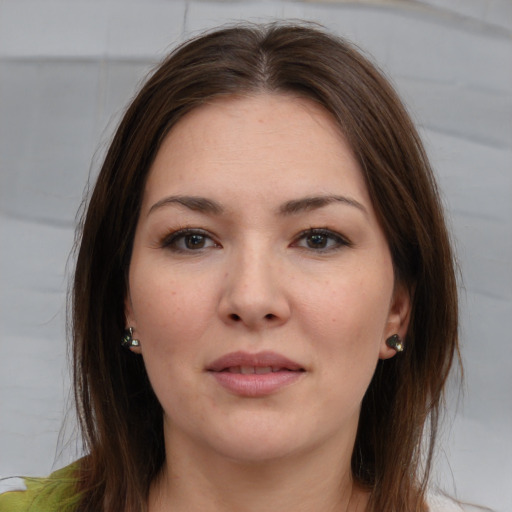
264	306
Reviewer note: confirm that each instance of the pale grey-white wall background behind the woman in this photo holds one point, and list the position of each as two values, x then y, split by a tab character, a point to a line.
68	67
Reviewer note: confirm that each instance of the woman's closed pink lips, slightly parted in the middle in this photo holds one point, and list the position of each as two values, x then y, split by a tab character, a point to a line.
279	372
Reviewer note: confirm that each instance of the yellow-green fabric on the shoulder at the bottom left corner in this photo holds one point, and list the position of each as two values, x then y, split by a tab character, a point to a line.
52	494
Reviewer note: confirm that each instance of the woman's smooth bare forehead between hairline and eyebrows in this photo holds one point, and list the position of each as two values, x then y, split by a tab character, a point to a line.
273	143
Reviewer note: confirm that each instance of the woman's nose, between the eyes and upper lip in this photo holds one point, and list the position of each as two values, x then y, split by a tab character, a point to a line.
254	291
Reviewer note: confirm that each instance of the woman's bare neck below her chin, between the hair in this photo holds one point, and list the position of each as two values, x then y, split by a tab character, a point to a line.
320	480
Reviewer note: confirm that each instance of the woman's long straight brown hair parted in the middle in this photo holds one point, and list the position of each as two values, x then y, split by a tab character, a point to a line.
120	417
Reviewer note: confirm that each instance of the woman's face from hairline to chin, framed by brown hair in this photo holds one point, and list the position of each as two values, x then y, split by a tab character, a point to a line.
261	285
